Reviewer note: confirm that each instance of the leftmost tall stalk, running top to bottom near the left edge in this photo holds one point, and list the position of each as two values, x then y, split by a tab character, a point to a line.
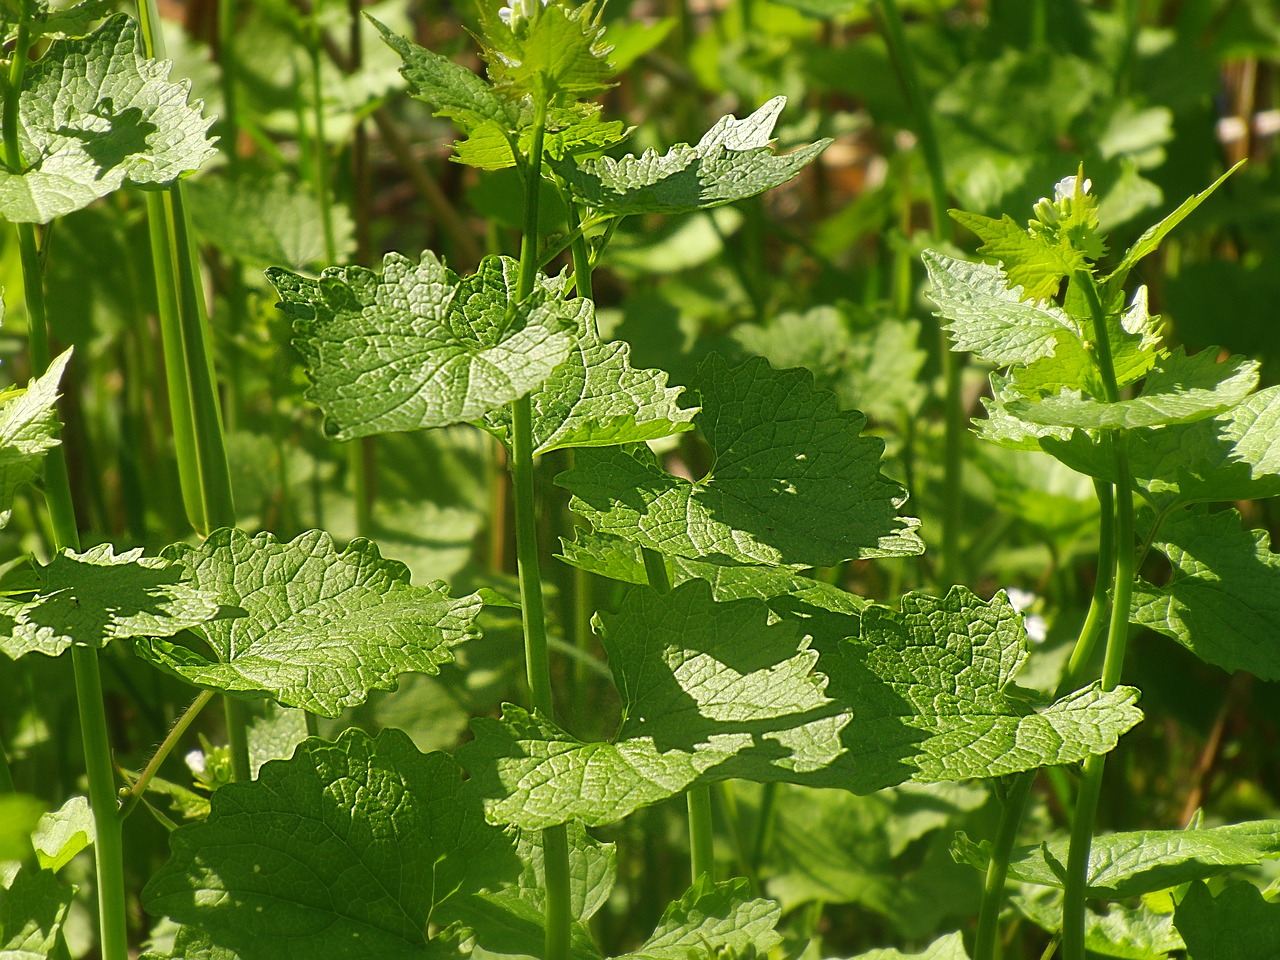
109	847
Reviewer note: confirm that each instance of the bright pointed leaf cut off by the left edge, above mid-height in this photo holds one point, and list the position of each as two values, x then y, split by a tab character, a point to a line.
29	428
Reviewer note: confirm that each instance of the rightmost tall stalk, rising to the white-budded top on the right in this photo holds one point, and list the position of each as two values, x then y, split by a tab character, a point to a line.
1118	636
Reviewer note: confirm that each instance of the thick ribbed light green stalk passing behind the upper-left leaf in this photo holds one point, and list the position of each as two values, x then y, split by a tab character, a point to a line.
198	422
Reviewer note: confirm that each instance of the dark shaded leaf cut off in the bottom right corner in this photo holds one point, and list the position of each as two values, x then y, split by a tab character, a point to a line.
1237	925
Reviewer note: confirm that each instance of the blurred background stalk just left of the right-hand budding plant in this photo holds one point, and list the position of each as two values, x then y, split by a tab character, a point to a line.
952	363
